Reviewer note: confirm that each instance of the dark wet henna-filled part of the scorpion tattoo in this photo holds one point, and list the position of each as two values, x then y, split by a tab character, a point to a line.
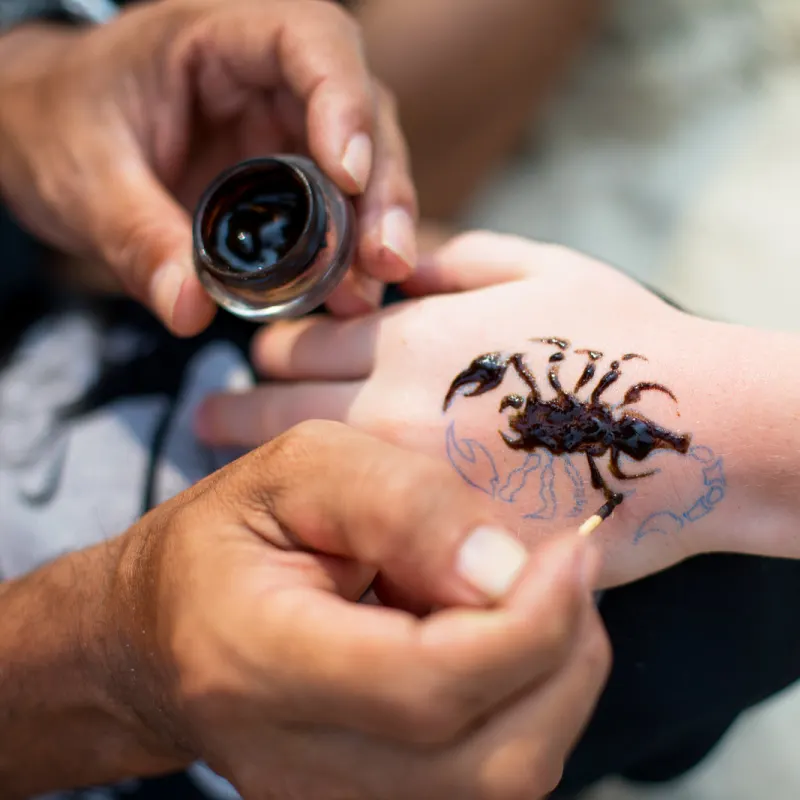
566	424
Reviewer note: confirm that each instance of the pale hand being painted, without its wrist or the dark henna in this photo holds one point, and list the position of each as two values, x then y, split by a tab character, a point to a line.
389	374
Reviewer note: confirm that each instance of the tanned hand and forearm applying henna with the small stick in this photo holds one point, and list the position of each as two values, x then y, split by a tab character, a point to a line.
189	637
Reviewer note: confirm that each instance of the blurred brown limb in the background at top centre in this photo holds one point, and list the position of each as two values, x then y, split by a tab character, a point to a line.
469	76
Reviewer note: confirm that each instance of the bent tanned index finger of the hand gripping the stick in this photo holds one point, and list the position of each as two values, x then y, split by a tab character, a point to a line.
383	672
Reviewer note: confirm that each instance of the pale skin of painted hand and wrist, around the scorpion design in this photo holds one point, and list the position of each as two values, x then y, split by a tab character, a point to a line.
738	394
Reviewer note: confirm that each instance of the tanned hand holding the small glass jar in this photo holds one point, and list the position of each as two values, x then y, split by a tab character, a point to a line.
109	135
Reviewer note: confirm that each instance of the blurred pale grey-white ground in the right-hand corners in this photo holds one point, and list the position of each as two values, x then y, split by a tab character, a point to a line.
673	151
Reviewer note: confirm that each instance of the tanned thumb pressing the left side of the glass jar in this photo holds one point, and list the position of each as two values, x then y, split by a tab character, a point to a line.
145	237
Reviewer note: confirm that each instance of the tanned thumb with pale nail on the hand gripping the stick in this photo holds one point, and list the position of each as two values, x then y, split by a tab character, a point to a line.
346	494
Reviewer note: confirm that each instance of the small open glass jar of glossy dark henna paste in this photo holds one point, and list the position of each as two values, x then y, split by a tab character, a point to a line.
273	237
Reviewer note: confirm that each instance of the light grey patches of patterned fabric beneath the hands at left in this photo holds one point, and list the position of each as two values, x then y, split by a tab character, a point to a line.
69	482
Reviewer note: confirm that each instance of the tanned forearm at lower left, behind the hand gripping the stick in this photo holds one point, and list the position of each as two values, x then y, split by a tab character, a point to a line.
60	724
